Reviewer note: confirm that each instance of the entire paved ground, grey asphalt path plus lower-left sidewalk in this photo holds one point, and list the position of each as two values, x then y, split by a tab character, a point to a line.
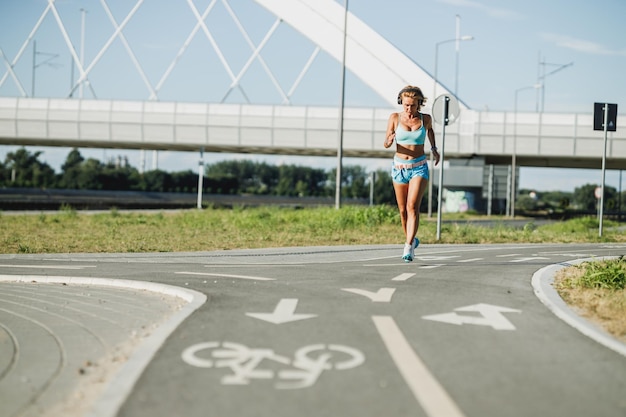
462	331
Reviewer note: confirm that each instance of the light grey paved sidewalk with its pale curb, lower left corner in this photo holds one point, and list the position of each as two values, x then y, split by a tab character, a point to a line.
64	341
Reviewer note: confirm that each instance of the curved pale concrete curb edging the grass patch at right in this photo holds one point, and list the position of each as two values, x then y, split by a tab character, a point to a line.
542	282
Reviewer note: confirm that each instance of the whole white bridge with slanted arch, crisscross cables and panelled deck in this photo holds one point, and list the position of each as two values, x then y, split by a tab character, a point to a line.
538	139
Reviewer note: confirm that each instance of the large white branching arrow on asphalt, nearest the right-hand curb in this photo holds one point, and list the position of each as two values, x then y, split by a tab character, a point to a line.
490	316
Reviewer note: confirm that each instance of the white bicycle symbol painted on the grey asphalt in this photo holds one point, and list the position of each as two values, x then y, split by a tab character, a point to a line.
246	364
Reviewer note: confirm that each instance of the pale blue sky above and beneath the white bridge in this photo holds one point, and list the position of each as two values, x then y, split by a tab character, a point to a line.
511	38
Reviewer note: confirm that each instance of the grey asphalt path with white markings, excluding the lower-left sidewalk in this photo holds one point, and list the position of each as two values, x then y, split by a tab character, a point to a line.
355	331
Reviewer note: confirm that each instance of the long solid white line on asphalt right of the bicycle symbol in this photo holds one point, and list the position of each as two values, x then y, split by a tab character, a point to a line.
429	393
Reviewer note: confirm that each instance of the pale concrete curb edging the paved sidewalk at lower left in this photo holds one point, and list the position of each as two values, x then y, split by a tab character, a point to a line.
122	383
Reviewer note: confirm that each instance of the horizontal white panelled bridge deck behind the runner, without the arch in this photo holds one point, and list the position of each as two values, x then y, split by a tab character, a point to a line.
537	139
